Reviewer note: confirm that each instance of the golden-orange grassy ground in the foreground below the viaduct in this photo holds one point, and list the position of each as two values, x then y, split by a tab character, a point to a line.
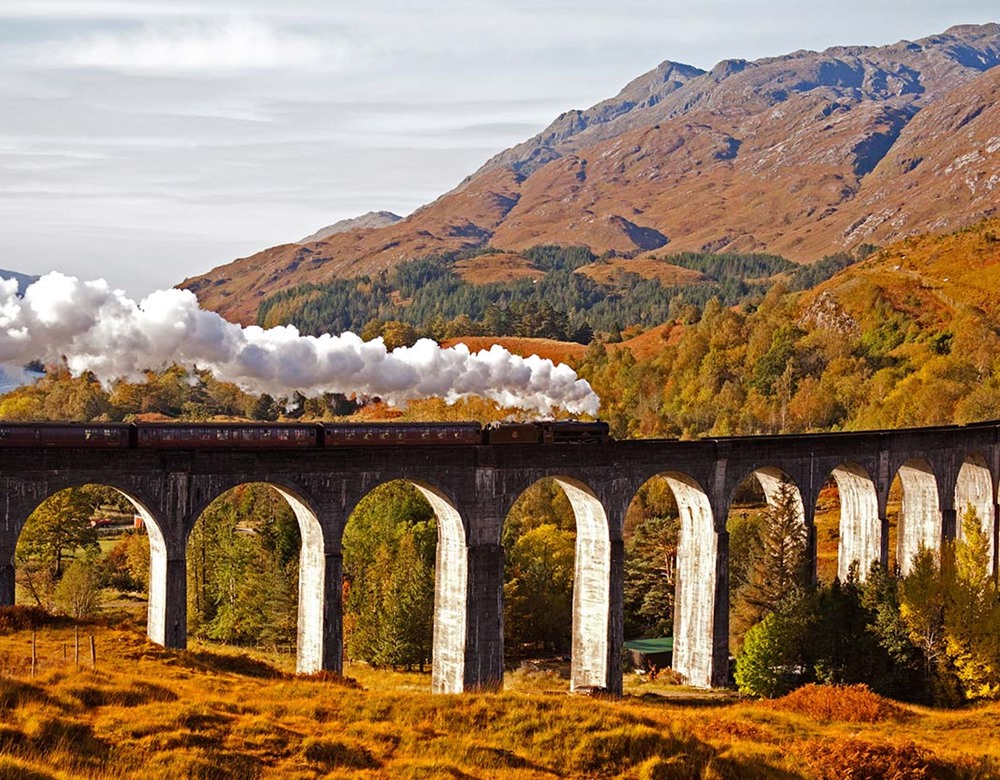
147	712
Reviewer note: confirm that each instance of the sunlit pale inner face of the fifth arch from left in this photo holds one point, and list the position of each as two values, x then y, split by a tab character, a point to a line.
696	599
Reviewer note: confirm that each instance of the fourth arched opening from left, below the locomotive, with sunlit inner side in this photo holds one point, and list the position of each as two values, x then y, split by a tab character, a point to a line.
558	577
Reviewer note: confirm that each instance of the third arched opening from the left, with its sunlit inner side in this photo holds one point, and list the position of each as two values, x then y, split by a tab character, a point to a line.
405	583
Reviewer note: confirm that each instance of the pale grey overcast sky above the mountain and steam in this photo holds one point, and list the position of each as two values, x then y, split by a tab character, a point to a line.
145	141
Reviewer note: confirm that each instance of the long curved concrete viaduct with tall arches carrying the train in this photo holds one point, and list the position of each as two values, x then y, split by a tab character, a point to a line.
472	488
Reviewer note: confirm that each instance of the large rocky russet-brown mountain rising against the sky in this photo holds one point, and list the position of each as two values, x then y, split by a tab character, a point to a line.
802	155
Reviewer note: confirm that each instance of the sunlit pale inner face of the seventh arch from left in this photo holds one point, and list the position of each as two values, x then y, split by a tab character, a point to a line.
860	525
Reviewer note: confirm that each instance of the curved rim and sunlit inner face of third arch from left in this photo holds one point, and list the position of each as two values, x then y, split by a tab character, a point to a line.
451	583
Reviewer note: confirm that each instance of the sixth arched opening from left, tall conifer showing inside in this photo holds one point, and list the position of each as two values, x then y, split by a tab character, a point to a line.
769	551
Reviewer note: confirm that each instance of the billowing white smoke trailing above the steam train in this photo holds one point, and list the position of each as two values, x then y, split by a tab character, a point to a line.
101	330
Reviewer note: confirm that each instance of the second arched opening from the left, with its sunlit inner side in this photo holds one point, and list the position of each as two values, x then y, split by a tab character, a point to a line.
256	573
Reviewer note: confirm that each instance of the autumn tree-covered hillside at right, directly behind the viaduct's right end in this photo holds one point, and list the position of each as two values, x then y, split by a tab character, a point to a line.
905	338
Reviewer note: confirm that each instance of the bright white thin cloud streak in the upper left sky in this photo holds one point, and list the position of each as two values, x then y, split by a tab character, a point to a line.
235	44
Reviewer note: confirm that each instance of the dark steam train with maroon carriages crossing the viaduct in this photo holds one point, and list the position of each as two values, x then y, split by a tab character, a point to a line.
293	435
